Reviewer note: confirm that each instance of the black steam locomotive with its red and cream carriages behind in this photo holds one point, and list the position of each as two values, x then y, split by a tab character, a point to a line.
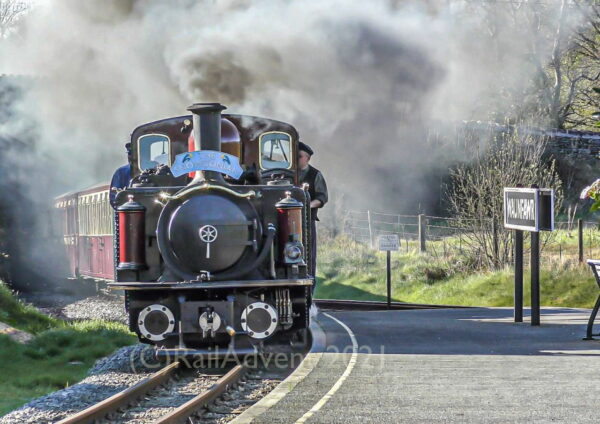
211	260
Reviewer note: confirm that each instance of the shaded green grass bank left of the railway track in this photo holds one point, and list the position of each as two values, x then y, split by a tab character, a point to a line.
60	354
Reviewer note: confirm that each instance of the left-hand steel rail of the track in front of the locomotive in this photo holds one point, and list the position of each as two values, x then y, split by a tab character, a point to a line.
123	398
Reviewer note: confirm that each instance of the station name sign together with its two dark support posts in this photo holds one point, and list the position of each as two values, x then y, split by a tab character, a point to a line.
528	209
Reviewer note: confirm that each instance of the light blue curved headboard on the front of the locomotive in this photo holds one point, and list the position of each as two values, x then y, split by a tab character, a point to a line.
207	160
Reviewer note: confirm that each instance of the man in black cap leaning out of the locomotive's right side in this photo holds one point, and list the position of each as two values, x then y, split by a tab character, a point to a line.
318	195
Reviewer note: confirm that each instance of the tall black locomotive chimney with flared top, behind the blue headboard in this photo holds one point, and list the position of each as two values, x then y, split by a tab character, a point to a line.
207	135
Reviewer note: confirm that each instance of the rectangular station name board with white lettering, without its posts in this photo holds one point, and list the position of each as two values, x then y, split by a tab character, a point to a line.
529	209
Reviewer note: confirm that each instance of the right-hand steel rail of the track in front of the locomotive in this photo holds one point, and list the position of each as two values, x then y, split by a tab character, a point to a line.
183	412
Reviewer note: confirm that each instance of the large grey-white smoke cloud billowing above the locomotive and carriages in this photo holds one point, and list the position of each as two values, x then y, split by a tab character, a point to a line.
362	81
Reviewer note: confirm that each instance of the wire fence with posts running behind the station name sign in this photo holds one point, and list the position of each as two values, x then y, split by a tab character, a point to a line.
483	239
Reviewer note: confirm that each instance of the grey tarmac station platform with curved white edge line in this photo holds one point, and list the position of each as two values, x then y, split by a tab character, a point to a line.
470	365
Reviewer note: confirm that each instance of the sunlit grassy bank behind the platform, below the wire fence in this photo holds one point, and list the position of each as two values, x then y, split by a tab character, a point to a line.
348	270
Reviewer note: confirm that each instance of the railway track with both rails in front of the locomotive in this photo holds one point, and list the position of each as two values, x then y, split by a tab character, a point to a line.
126	405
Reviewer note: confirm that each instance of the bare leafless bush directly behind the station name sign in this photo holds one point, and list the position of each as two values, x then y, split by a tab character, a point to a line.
476	198
